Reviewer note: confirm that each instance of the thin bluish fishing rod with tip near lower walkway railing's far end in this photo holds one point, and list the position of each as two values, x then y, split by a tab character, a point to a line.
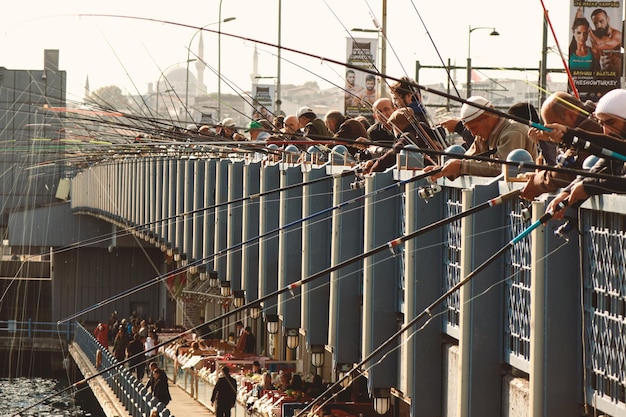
224	251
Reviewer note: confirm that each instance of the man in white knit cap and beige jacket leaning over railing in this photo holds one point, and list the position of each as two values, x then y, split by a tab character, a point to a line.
494	135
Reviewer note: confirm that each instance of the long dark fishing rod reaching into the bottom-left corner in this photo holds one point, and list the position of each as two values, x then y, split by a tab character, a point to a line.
291	287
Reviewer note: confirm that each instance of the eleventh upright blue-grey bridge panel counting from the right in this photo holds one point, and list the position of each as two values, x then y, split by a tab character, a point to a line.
221	216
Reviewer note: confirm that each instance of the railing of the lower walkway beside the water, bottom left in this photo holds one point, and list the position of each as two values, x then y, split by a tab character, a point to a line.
131	392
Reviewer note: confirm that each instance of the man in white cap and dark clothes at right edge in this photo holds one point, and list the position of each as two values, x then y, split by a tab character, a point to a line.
611	114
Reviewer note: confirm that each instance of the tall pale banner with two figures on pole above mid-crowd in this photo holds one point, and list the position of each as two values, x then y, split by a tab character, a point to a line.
361	88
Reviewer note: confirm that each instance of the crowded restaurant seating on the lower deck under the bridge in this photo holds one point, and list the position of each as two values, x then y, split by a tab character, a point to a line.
268	387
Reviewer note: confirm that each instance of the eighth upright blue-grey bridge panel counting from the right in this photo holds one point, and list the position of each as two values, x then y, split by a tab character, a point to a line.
268	247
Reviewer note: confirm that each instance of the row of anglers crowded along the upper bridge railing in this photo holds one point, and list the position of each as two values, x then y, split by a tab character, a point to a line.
403	120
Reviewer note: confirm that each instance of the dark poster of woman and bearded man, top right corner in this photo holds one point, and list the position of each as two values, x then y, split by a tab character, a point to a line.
595	55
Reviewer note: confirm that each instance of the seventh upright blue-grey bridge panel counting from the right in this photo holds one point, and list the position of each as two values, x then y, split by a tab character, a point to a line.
290	246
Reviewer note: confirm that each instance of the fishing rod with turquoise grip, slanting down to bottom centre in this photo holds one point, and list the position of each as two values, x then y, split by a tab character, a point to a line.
428	311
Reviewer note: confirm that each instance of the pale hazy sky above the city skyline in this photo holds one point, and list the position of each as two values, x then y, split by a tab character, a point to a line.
131	53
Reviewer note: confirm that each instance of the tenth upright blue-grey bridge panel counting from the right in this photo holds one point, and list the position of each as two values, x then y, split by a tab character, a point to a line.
234	210
